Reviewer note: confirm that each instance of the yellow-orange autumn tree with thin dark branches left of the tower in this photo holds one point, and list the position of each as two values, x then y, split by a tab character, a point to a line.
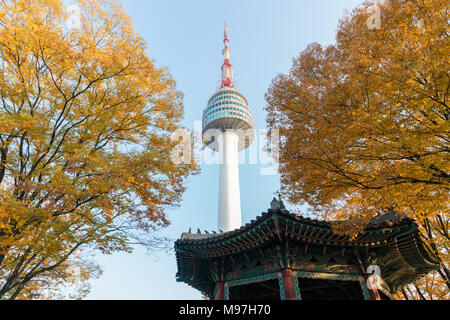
85	126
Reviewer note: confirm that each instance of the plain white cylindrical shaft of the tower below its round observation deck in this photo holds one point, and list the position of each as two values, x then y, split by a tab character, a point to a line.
229	195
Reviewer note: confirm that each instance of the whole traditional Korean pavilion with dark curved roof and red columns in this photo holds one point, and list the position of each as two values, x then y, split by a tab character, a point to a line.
280	255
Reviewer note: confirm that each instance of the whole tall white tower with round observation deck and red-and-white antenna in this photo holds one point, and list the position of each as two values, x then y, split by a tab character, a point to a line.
228	113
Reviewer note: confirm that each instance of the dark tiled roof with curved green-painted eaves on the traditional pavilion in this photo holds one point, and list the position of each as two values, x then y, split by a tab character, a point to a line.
389	235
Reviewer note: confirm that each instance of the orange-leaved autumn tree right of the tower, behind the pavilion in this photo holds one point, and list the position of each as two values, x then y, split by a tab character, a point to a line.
364	124
